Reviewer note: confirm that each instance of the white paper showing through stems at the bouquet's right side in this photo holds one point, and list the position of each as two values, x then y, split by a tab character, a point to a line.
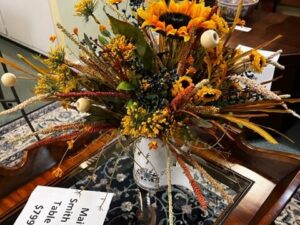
269	70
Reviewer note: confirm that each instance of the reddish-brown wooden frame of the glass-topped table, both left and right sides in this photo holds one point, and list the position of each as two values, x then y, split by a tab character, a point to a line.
275	177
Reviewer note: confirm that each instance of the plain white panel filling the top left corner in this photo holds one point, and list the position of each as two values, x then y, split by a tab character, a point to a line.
28	22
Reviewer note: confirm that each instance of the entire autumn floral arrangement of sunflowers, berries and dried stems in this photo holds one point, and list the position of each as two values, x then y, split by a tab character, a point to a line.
164	70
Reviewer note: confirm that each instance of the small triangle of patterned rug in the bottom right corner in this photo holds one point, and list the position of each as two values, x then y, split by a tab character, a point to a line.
290	215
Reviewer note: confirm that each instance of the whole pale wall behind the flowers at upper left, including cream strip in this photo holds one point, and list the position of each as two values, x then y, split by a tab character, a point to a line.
31	22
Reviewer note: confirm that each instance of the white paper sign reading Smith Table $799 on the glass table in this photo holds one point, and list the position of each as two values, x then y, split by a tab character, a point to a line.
58	206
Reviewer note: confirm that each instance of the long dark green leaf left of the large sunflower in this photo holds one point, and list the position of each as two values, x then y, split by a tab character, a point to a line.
136	36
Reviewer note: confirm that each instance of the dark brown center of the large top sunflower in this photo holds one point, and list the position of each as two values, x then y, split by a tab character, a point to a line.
177	20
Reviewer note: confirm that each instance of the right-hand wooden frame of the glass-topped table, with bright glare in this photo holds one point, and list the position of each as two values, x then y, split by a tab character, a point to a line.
276	177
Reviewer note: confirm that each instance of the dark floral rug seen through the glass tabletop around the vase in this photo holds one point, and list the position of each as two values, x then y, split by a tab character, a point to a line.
116	176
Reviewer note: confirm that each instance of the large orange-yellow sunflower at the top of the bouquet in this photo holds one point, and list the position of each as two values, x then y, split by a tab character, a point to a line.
176	18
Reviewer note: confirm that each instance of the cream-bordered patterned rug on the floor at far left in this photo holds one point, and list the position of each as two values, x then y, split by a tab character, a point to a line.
50	115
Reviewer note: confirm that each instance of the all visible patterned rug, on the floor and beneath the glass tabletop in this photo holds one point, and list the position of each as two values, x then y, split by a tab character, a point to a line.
124	207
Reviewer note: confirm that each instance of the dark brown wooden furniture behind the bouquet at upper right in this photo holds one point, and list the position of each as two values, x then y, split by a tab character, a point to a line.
265	26
